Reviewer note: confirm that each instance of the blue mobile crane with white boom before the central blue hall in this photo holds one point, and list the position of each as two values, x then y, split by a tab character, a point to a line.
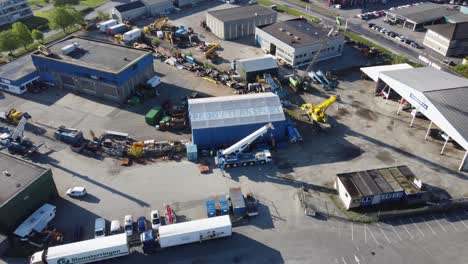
234	156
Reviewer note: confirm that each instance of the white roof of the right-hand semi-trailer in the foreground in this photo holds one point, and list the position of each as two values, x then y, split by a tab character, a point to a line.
193	226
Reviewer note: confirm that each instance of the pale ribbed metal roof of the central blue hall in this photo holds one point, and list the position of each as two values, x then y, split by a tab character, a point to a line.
235	110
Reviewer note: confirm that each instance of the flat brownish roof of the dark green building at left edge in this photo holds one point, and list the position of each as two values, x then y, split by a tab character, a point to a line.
15	175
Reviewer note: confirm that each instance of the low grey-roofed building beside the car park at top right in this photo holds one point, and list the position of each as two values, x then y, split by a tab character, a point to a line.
417	17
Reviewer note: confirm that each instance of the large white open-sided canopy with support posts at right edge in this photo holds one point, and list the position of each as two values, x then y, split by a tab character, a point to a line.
442	97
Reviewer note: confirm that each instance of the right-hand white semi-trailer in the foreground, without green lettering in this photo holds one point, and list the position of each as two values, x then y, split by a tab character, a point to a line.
194	231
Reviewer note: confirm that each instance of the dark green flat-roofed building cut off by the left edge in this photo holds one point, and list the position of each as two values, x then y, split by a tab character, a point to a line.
24	187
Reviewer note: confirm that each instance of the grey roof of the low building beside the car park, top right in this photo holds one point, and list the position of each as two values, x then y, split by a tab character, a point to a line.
423	13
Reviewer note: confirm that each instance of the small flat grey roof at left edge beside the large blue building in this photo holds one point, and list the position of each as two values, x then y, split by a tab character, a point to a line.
18	68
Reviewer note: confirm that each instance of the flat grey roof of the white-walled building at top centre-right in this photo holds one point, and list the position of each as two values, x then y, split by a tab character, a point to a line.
297	32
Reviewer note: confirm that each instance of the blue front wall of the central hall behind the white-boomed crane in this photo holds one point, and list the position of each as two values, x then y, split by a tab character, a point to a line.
222	136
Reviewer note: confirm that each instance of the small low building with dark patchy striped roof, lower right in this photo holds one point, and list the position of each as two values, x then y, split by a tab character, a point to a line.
379	187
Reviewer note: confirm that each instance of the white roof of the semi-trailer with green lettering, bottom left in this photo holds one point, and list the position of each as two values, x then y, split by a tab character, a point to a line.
87	245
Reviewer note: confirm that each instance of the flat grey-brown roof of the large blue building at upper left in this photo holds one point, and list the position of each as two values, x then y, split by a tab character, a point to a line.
100	56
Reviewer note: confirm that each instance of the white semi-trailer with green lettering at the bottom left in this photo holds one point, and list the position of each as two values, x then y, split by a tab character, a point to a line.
84	252
